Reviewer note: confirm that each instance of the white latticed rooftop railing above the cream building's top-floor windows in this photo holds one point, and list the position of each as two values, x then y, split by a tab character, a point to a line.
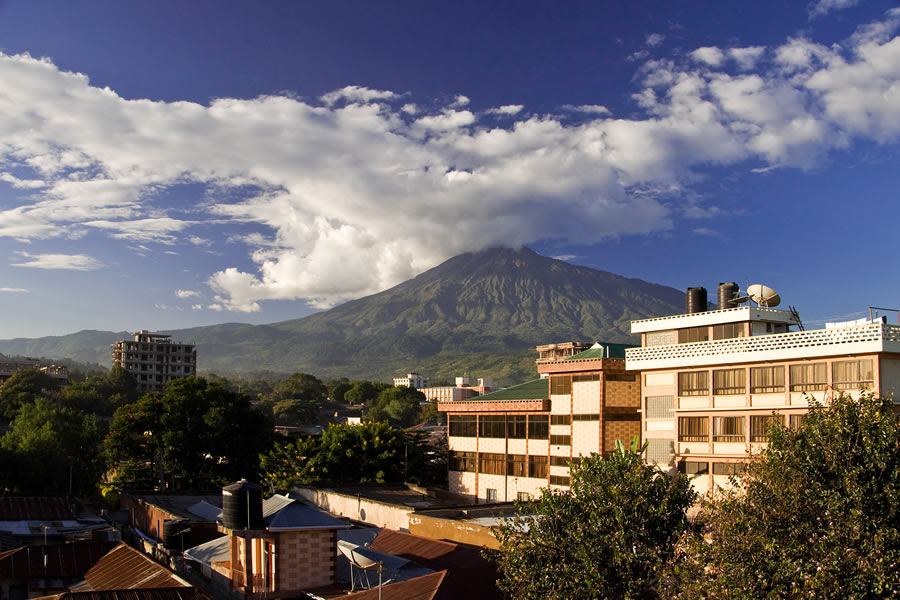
817	341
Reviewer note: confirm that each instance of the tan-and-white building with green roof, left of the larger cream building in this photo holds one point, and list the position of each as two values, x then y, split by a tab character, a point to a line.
508	444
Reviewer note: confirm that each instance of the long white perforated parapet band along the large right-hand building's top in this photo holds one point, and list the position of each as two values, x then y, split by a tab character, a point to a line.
857	339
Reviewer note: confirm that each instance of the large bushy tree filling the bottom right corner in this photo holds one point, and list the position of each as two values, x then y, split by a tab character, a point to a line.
816	515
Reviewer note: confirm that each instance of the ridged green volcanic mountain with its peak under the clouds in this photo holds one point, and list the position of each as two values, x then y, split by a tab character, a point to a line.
480	313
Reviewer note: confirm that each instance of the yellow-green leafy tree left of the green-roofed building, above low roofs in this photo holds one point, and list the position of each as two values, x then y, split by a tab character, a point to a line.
348	454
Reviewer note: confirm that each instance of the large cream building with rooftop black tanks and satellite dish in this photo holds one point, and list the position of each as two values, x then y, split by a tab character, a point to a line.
713	381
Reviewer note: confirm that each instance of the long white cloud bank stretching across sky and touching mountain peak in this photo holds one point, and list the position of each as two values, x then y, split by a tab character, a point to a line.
347	194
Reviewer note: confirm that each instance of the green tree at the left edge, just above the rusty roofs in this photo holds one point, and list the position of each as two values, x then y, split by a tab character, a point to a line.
47	447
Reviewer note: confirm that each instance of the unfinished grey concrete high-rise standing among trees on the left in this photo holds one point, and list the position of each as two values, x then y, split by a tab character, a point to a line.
154	359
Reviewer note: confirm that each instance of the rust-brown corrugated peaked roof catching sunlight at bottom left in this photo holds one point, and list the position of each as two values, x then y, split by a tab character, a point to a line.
124	568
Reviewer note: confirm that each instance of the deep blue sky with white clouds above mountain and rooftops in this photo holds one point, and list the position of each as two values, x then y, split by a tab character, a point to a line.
171	164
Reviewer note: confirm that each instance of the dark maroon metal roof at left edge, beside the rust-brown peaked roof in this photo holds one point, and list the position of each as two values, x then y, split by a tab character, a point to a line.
63	560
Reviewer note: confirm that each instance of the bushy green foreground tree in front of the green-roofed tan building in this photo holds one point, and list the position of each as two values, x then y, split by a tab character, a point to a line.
607	537
